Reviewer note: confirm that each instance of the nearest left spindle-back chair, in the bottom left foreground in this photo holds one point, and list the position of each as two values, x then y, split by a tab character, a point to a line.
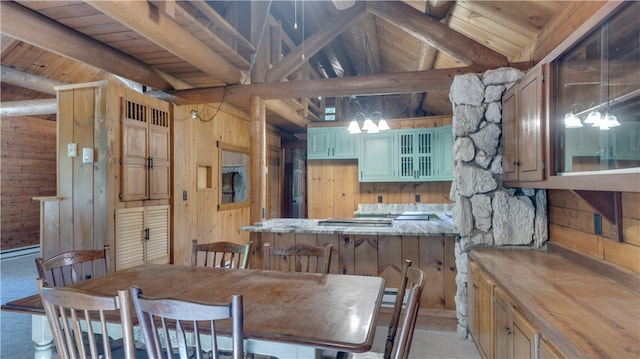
69	311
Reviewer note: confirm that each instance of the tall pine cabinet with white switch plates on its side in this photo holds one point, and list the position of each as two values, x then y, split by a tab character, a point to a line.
95	142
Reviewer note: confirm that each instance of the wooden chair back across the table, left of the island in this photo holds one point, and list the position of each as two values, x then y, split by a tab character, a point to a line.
221	254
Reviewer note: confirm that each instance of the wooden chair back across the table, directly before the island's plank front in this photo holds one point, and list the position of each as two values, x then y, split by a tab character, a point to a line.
298	258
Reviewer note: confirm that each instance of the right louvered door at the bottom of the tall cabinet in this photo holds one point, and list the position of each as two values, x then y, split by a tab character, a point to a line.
157	223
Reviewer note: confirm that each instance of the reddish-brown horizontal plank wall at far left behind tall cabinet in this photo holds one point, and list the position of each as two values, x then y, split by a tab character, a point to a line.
28	169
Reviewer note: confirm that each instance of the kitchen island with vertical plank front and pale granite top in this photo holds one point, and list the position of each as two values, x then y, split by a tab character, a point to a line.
376	246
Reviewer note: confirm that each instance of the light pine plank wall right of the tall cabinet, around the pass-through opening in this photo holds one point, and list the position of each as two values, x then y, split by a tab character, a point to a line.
194	144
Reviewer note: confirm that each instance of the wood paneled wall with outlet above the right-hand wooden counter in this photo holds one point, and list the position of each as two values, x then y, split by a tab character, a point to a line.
571	223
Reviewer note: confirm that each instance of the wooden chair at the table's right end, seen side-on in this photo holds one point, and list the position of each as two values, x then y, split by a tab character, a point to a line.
408	298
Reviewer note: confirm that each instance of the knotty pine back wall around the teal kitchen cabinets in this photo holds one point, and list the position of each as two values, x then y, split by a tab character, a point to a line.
334	190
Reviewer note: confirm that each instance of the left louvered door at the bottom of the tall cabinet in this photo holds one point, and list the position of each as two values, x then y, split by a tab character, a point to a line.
129	237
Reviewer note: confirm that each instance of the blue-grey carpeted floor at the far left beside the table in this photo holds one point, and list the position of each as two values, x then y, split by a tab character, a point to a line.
18	279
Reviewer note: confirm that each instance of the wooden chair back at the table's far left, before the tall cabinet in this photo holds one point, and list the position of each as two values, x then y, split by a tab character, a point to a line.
74	266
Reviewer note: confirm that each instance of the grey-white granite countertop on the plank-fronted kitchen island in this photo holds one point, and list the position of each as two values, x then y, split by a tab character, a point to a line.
441	226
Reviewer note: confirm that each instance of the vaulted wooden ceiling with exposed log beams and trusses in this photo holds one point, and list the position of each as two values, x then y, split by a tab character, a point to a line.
395	57
